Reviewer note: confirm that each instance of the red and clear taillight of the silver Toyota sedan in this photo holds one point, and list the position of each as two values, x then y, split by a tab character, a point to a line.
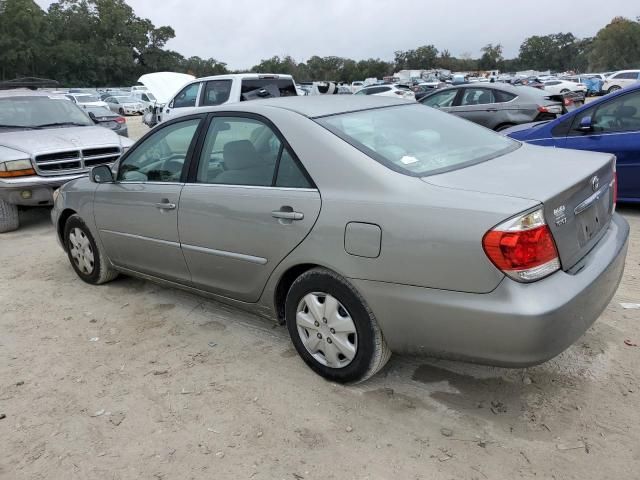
523	248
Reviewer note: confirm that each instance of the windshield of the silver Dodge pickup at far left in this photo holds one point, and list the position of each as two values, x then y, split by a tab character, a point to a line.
29	112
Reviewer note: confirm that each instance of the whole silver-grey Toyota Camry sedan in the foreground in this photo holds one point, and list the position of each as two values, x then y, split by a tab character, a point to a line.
368	225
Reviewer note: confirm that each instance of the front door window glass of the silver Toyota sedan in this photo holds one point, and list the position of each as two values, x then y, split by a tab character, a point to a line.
161	157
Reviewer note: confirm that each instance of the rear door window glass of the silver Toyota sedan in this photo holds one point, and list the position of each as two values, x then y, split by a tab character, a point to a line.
246	151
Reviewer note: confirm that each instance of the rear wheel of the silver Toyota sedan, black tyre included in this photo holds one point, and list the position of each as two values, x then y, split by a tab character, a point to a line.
333	329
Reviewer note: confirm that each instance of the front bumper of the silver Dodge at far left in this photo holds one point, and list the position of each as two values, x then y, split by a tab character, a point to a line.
40	188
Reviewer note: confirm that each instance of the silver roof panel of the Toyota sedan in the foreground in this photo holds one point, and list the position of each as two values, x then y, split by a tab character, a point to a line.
313	106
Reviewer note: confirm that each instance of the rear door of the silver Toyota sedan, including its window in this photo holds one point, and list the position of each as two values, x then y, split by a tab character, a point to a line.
246	206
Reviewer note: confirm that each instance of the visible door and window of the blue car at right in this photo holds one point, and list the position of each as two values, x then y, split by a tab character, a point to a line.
615	128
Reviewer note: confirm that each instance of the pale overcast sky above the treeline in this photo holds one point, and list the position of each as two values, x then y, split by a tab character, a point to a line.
242	32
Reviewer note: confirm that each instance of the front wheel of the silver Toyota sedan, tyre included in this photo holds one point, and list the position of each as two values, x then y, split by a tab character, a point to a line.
88	261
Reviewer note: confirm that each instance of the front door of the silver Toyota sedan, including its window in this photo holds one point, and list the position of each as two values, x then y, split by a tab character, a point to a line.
137	215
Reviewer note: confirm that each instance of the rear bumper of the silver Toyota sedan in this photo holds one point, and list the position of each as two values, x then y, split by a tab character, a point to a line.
516	325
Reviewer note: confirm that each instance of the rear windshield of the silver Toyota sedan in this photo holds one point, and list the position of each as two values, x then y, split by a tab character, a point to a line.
417	140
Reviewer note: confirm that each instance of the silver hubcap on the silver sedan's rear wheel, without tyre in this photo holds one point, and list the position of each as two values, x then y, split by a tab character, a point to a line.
327	330
